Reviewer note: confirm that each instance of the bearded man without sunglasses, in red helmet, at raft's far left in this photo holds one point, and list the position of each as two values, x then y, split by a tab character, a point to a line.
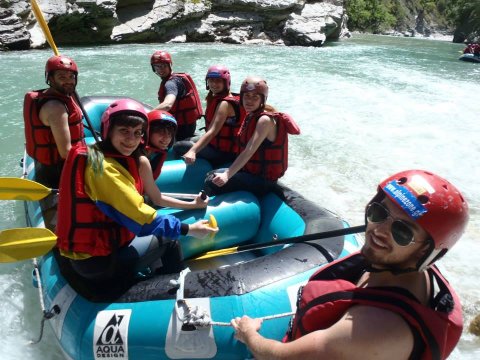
53	123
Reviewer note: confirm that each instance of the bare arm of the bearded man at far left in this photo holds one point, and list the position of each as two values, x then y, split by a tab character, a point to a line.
54	114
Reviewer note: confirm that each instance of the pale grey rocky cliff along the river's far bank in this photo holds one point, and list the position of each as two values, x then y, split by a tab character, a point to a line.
282	22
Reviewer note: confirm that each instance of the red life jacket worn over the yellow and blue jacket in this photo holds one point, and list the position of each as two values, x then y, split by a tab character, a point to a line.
81	226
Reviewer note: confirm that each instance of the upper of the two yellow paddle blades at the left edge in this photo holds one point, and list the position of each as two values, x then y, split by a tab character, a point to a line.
12	188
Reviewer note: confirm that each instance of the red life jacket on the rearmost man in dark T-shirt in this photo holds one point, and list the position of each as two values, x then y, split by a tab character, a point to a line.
187	109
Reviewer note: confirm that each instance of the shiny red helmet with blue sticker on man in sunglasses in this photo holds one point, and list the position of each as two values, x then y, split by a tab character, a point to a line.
433	203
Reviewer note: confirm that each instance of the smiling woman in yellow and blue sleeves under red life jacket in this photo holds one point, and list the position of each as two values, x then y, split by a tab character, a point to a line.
101	208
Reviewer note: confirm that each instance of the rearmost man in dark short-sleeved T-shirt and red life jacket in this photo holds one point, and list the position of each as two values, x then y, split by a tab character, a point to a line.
177	94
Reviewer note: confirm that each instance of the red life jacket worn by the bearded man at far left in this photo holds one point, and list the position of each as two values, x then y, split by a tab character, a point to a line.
40	143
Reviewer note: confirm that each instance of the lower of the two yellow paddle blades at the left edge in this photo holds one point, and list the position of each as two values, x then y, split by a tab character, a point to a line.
25	243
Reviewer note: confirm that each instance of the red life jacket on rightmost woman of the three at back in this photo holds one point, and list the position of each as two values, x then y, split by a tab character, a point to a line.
271	158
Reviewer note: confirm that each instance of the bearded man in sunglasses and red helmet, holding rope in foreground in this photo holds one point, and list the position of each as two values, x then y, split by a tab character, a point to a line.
388	301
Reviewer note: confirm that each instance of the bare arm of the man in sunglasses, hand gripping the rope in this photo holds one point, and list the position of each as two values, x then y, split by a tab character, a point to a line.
363	332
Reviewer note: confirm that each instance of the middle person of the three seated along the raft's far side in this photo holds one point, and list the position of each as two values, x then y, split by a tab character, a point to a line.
223	117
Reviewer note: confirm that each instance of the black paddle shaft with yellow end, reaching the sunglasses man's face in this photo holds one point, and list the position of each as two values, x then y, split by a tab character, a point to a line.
292	240
